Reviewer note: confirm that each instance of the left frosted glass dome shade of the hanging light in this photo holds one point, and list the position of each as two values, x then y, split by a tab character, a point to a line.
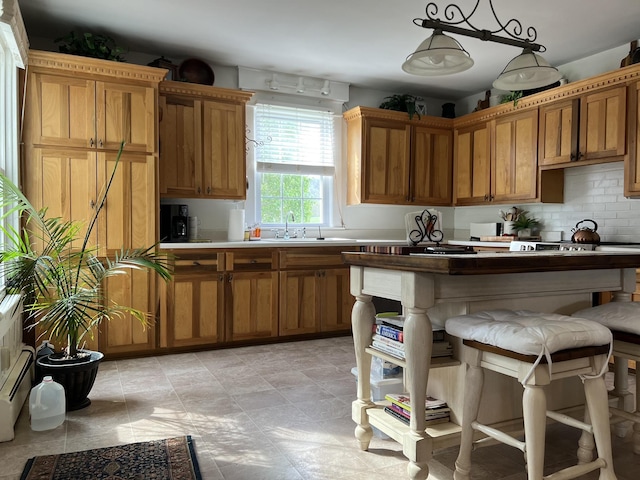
438	55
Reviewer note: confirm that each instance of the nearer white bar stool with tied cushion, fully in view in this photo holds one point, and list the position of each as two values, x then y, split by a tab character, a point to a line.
536	348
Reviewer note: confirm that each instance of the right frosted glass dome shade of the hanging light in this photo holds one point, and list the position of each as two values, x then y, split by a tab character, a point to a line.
525	72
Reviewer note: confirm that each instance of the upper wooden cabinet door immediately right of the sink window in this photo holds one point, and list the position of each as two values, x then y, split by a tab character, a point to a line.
386	162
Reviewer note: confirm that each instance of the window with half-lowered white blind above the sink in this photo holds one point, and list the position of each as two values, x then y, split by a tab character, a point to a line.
295	167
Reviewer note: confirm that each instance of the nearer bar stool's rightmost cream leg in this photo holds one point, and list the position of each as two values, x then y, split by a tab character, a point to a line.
595	392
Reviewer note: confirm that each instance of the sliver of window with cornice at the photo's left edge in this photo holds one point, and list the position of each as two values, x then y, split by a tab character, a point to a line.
13	48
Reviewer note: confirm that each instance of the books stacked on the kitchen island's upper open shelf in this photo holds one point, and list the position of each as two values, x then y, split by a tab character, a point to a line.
388	337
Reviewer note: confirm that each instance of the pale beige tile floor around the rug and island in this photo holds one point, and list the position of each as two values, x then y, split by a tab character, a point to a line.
261	413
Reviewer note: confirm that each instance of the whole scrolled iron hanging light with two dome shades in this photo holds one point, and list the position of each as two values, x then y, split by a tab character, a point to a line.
441	54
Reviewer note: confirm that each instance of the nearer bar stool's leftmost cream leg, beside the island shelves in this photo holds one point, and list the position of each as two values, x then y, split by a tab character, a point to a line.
474	379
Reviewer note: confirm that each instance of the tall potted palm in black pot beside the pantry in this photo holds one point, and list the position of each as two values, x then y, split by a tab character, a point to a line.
60	278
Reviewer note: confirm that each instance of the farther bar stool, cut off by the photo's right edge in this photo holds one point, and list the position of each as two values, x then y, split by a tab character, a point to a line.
623	319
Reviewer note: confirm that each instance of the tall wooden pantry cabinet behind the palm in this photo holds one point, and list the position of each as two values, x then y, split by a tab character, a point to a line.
78	111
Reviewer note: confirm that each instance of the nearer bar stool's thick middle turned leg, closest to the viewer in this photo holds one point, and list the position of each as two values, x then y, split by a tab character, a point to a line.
534	408
